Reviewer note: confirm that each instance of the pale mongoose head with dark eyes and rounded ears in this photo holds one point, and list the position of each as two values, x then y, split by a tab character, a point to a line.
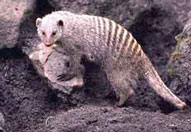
49	29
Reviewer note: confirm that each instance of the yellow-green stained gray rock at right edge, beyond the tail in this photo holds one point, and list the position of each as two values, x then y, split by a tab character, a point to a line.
179	70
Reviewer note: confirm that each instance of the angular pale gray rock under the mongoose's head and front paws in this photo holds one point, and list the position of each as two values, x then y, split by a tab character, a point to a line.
61	66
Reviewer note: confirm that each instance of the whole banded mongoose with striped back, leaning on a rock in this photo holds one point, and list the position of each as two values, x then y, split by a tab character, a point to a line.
108	44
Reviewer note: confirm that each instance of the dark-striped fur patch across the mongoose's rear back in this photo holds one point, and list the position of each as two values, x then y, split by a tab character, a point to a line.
117	39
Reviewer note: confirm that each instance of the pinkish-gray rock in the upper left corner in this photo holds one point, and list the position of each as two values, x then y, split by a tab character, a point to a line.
11	13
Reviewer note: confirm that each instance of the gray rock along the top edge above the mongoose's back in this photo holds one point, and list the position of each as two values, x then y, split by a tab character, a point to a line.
124	12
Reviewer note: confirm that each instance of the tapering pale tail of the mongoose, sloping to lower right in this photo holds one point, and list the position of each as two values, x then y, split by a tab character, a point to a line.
158	85
